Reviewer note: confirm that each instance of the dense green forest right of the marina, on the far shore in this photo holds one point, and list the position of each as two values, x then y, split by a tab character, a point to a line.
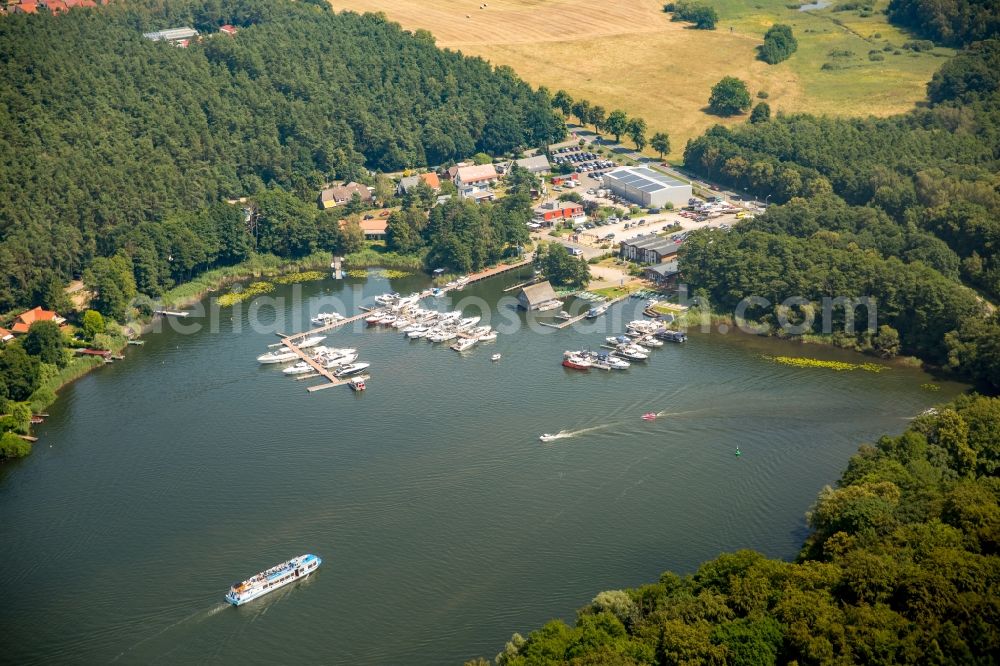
902	209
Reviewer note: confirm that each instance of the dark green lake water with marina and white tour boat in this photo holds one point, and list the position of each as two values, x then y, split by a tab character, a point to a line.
445	525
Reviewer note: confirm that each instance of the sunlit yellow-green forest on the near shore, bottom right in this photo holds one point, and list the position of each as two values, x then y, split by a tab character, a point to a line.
900	567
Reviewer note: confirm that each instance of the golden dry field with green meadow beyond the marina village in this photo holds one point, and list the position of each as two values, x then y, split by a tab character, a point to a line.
627	54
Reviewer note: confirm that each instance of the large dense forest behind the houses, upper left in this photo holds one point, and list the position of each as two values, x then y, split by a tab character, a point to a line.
119	146
